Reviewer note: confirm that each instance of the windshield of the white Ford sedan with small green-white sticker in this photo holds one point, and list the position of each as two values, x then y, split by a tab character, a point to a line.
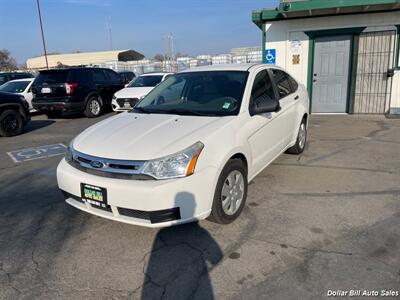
207	93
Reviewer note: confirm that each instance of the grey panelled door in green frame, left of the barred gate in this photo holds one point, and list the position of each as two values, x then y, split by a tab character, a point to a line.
331	74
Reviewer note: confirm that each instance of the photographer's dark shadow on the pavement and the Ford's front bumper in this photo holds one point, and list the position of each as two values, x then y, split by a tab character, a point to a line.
180	260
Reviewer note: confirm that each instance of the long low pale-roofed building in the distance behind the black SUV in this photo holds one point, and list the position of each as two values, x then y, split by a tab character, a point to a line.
83	58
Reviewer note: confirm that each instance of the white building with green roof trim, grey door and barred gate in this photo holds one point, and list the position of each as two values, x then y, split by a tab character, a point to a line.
345	52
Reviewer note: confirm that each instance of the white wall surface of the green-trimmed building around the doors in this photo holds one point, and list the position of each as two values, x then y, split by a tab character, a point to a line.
281	34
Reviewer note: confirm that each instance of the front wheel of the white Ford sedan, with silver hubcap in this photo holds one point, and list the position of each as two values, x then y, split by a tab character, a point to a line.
230	194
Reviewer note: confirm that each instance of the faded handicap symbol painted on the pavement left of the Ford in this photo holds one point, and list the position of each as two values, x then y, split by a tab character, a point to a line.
37	153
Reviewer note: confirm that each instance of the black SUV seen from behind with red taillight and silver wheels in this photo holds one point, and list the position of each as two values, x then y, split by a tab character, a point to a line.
75	89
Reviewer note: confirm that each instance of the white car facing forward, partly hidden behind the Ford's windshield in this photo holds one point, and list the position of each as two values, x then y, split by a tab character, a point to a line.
127	98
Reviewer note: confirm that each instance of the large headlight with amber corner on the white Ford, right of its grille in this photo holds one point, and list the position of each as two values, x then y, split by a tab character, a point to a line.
177	165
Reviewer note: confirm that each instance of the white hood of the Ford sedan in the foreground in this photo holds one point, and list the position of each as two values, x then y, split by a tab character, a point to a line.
135	136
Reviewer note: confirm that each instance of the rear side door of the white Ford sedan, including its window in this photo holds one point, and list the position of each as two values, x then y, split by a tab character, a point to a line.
287	100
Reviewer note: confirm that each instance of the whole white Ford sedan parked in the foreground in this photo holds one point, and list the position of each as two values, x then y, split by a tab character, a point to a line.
188	150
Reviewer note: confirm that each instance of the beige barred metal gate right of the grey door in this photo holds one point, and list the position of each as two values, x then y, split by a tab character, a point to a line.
375	58
